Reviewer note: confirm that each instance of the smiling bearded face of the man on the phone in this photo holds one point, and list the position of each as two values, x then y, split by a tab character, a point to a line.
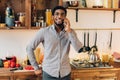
59	17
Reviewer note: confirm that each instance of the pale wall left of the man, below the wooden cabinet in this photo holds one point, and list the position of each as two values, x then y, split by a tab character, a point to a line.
13	42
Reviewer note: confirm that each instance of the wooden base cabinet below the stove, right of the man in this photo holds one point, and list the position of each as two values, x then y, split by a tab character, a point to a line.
96	74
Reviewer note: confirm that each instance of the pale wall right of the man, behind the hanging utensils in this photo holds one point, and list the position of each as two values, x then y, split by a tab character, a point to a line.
97	19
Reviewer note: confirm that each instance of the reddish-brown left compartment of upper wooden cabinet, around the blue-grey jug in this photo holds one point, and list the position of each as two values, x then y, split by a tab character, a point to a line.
18	7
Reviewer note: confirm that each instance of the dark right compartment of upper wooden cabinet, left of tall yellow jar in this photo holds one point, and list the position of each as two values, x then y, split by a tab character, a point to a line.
38	11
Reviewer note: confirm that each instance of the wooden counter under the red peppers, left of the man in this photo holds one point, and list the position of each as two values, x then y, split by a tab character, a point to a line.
6	74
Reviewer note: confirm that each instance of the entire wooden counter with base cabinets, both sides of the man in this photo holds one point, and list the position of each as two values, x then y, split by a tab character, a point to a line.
112	73
